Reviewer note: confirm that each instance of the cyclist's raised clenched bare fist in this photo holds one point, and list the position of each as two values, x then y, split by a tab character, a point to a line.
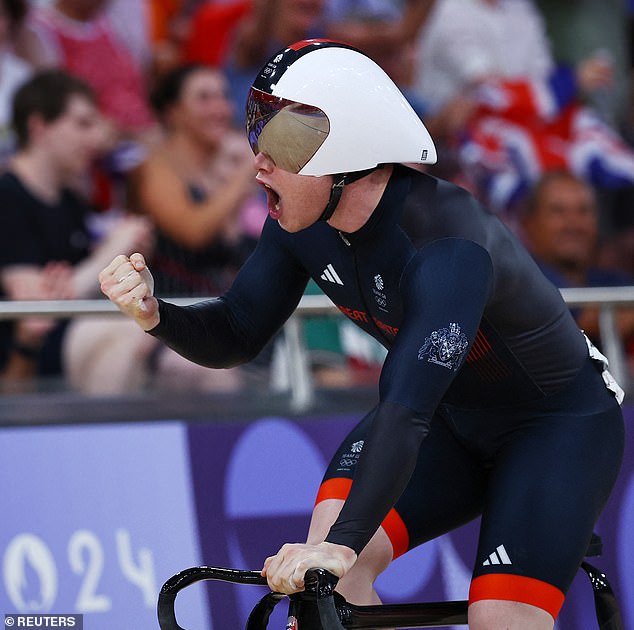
129	284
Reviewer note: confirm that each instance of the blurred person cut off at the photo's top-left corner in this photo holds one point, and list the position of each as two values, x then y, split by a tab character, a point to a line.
14	71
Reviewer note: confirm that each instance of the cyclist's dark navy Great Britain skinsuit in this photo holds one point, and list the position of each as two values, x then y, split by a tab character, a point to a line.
482	351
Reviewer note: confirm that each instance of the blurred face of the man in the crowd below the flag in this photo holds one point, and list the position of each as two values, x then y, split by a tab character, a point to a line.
562	229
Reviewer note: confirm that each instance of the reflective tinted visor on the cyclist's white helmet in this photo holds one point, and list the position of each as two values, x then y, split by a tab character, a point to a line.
288	132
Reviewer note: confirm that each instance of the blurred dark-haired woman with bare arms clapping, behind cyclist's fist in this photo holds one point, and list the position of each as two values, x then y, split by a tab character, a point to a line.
198	188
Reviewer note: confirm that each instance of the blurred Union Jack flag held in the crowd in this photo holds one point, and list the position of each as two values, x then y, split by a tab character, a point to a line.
523	128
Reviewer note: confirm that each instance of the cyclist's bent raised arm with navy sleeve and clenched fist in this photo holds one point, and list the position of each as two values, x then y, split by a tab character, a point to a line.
221	332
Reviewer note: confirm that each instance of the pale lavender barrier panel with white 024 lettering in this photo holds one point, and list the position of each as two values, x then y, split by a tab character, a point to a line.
94	520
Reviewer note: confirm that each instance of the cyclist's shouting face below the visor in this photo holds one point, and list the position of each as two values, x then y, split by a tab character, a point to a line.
295	201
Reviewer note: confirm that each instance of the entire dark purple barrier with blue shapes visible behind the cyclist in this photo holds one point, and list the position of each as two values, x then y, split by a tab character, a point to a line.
255	486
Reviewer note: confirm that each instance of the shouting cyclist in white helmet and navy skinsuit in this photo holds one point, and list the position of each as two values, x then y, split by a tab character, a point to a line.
492	402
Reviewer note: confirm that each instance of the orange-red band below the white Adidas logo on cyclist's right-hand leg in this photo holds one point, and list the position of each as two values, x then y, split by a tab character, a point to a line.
517	588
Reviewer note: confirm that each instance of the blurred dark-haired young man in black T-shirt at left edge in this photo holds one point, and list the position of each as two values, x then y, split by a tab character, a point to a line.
47	250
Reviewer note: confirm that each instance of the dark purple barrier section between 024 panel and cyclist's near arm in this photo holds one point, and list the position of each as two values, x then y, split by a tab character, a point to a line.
255	485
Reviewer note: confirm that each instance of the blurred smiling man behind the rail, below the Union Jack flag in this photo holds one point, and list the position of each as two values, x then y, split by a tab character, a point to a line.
561	229
